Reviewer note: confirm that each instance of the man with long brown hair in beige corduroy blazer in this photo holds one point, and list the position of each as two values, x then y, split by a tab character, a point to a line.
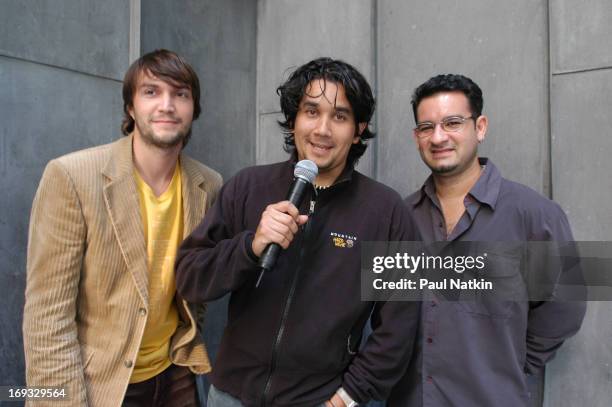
102	319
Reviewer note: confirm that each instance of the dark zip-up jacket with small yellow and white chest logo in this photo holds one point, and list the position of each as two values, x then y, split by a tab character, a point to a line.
295	339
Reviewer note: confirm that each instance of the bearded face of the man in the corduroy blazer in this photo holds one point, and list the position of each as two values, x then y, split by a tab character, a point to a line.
162	112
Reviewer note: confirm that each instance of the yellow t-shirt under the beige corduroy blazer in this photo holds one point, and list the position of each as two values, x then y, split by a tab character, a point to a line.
162	217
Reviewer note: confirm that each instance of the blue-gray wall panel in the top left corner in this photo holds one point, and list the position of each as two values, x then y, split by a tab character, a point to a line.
84	35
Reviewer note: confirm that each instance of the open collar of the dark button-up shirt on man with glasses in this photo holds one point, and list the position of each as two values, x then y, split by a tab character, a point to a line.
486	189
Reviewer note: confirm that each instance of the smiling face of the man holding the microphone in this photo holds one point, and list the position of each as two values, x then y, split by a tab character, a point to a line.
325	128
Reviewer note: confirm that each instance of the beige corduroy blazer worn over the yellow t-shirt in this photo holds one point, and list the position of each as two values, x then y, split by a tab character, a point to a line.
87	283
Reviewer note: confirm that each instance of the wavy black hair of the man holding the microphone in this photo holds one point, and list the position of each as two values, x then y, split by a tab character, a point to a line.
356	87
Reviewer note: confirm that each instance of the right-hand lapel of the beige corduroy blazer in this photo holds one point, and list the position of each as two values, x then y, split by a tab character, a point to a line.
194	195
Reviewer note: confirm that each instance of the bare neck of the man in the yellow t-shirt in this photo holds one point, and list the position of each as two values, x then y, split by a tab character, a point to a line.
155	165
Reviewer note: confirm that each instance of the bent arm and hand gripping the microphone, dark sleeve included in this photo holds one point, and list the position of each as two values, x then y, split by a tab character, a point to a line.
222	253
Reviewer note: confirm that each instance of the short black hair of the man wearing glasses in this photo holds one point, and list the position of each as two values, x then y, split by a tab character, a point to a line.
449	83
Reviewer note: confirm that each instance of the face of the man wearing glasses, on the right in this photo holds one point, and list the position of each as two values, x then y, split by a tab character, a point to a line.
449	153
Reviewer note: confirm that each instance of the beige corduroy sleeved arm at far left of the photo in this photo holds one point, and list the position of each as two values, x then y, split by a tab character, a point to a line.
55	251
